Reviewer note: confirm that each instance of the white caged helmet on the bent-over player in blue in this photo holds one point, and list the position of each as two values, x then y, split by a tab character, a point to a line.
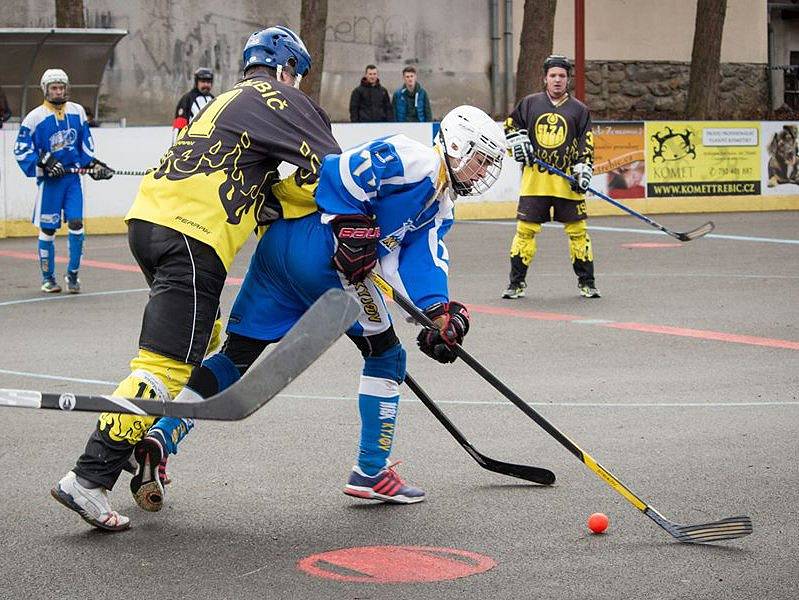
476	145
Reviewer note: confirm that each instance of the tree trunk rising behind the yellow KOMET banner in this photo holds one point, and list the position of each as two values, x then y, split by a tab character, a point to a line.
703	86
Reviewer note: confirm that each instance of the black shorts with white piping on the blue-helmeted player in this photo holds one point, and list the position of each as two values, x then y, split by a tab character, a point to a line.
186	278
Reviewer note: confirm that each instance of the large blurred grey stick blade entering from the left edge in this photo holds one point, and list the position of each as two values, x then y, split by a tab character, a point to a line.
322	324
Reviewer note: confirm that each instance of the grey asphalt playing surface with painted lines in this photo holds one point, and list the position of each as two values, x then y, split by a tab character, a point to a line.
682	380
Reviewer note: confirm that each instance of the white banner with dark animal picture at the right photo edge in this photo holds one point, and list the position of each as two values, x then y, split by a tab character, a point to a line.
779	159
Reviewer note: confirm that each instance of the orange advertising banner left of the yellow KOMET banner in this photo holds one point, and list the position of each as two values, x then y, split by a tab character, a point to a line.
619	159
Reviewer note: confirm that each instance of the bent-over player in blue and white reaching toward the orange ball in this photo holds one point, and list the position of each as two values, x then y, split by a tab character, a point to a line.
384	205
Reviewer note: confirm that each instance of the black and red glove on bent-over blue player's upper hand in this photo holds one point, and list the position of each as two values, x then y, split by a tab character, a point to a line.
356	250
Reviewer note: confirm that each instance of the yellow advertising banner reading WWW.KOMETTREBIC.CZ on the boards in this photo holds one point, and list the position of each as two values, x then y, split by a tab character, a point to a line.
702	158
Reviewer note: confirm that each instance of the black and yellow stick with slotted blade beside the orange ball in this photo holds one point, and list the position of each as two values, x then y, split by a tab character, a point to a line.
726	529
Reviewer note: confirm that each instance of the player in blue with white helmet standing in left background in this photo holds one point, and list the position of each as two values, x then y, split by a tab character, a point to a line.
53	139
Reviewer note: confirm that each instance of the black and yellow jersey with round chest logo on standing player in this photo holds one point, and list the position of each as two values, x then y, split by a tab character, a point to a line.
561	136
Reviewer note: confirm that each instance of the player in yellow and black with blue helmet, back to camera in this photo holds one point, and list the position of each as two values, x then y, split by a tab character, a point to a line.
213	188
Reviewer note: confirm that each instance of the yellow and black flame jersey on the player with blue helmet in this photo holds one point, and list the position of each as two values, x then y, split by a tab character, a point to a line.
212	181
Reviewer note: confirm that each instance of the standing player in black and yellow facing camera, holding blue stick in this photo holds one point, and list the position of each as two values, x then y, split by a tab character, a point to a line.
555	128
